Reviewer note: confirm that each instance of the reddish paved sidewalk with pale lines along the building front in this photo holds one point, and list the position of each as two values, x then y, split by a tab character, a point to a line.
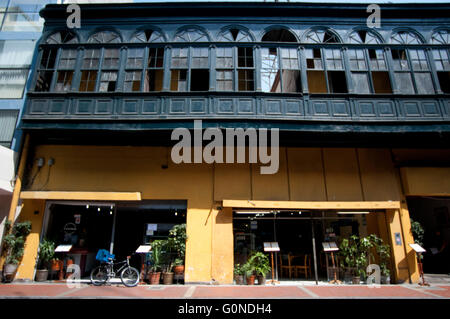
61	290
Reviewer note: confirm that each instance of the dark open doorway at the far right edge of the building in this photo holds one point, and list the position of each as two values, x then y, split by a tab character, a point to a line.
433	214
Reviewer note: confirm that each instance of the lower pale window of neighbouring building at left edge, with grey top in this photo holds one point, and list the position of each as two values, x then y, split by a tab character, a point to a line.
12	83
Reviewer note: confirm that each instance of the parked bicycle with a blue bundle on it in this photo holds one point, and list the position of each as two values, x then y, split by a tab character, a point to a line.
101	274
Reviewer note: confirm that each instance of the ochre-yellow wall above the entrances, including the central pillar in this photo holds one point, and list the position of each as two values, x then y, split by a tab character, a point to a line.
312	174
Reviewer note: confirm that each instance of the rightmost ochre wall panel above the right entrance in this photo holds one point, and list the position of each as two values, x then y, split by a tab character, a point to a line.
378	175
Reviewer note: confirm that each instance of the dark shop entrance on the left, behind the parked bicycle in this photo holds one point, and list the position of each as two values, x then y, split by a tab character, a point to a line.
117	227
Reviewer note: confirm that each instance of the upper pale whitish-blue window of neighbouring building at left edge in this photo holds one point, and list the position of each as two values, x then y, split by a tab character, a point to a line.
16	53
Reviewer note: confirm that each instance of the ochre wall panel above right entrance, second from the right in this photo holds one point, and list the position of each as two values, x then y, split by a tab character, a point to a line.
342	176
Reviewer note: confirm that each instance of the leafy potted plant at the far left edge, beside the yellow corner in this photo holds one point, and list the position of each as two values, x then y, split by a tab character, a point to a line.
13	246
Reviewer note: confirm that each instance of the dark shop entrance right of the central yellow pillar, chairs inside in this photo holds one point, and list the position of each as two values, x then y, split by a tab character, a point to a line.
300	235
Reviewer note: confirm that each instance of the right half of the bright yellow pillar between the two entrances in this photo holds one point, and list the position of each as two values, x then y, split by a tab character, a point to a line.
222	246
